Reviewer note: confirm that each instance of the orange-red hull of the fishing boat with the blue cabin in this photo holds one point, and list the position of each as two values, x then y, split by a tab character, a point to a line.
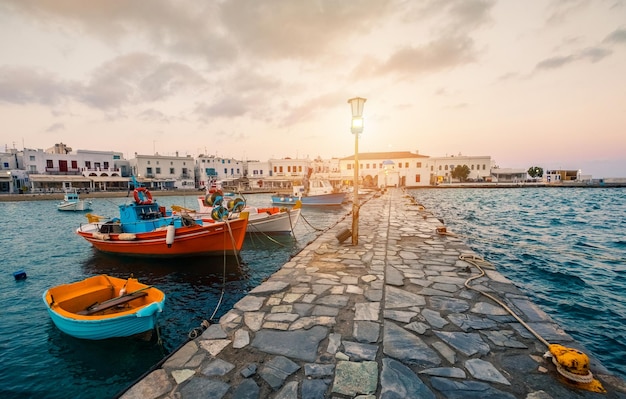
216	238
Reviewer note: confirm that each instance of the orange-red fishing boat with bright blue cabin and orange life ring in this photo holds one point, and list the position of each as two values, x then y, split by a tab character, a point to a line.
146	229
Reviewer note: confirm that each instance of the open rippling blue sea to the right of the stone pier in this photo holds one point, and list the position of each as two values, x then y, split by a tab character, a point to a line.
564	247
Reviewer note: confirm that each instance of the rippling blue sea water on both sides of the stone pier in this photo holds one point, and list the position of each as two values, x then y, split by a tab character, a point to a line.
565	248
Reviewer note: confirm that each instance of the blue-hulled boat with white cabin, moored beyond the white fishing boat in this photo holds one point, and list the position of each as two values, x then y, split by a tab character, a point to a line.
314	192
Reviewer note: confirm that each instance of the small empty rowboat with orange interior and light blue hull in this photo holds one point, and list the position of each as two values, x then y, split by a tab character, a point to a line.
102	307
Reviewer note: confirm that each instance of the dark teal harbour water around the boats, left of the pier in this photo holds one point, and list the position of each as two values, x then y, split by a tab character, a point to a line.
39	361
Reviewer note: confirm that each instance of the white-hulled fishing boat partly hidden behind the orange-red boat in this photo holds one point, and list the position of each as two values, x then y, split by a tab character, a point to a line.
267	220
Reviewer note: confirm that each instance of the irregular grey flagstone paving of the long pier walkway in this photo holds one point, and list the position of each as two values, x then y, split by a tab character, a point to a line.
388	318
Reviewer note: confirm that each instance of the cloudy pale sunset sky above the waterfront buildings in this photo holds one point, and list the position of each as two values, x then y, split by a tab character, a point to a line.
529	83
